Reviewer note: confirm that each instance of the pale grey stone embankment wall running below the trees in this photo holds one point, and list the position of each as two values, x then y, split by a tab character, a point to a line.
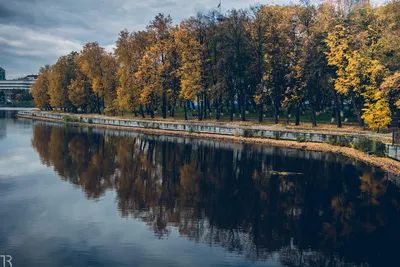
210	128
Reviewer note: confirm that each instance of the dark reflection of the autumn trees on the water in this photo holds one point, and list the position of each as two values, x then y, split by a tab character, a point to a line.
308	212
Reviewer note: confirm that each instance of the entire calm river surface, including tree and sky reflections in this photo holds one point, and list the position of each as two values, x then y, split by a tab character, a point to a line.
93	197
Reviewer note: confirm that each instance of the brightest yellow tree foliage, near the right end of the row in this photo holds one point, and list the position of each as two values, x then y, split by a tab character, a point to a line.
358	75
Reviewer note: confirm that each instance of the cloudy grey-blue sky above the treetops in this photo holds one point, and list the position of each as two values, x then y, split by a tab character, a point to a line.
36	32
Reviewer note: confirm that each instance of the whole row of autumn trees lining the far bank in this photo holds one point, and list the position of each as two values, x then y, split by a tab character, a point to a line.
266	58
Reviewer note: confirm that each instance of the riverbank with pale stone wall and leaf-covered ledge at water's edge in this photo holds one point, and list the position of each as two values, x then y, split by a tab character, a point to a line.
301	139
